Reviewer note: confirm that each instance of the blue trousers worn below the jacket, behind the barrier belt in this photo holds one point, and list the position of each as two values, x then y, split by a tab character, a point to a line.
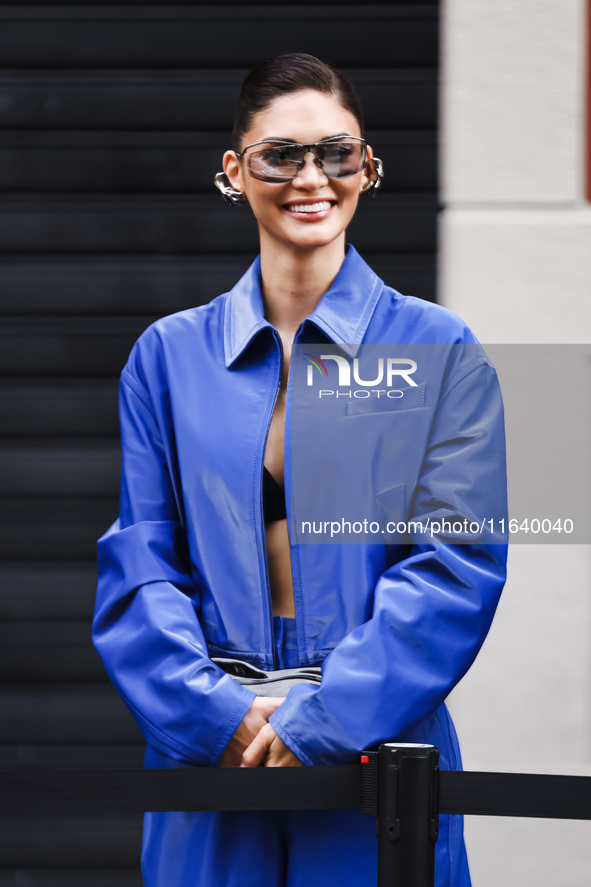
295	848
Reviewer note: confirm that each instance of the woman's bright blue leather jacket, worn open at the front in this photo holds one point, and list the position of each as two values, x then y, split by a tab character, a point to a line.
182	572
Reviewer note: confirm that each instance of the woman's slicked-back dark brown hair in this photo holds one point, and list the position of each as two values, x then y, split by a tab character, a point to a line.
288	73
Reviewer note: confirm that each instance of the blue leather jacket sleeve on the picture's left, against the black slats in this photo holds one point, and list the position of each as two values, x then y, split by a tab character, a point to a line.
145	627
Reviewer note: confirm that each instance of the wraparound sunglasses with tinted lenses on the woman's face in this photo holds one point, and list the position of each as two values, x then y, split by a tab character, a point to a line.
277	160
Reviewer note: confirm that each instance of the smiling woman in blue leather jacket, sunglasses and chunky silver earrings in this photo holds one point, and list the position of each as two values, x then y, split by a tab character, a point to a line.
203	562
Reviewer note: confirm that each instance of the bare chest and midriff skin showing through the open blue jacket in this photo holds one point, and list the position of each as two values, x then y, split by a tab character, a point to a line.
276	533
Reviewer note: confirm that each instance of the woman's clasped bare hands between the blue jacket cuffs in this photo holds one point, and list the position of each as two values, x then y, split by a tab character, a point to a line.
255	743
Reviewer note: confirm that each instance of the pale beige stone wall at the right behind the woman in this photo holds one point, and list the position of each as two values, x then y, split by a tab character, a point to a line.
515	251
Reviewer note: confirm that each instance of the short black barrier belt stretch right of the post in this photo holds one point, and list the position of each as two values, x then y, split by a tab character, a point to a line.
515	794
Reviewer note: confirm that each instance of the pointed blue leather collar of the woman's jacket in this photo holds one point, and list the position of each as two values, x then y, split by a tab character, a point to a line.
342	313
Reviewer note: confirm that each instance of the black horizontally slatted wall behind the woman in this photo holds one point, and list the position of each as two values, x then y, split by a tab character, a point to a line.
113	120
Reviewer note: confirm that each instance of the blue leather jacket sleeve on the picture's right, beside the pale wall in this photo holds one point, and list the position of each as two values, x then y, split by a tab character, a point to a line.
431	610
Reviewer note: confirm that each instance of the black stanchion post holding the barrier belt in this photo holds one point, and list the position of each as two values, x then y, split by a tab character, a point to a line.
407	822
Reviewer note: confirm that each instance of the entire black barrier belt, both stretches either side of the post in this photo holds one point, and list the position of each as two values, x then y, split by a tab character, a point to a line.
291	788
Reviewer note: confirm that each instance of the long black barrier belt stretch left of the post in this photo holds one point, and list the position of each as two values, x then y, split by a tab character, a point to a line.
128	791
